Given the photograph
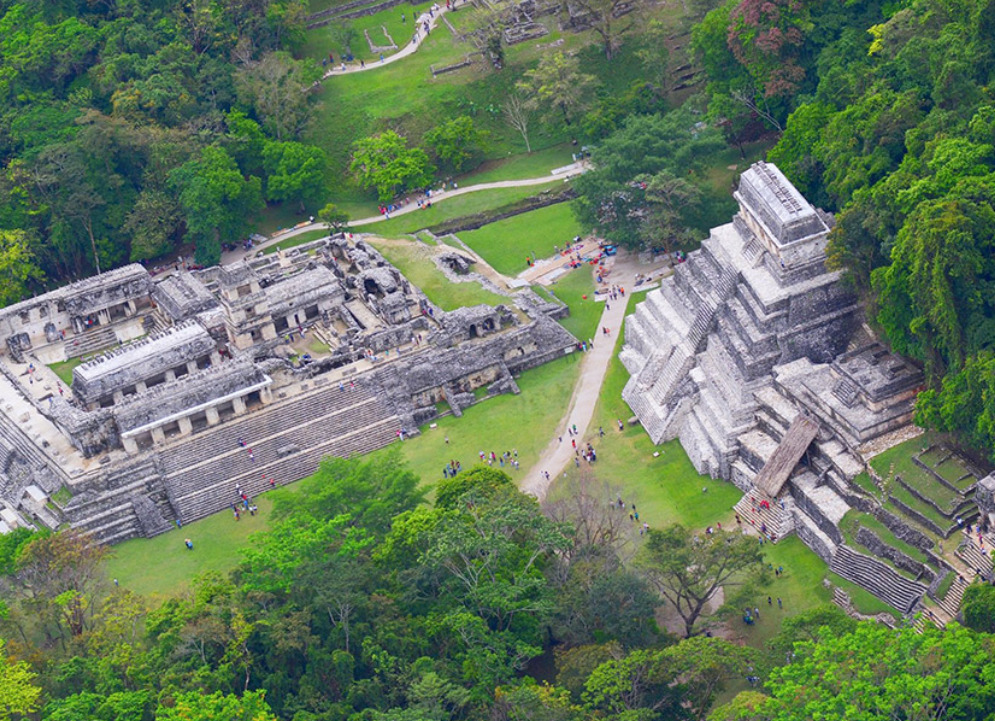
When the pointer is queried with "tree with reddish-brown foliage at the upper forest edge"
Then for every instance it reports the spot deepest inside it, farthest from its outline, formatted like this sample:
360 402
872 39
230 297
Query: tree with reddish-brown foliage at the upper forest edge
767 36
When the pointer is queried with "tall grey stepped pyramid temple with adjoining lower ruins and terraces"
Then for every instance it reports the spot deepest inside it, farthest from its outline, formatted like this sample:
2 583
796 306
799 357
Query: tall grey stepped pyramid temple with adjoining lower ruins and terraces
756 358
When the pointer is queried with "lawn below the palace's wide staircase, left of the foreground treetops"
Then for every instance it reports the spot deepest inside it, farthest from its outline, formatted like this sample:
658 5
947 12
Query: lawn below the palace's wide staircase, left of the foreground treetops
163 566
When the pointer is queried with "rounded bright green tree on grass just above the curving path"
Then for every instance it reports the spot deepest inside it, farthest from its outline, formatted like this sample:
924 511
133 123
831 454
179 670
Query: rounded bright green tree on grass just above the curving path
385 162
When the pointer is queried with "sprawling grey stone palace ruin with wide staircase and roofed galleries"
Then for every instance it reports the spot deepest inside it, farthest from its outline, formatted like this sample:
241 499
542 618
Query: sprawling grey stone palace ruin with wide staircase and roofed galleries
247 373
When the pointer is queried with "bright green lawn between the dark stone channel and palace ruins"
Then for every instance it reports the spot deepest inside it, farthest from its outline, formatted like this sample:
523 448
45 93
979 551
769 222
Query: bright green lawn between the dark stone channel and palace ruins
505 243
